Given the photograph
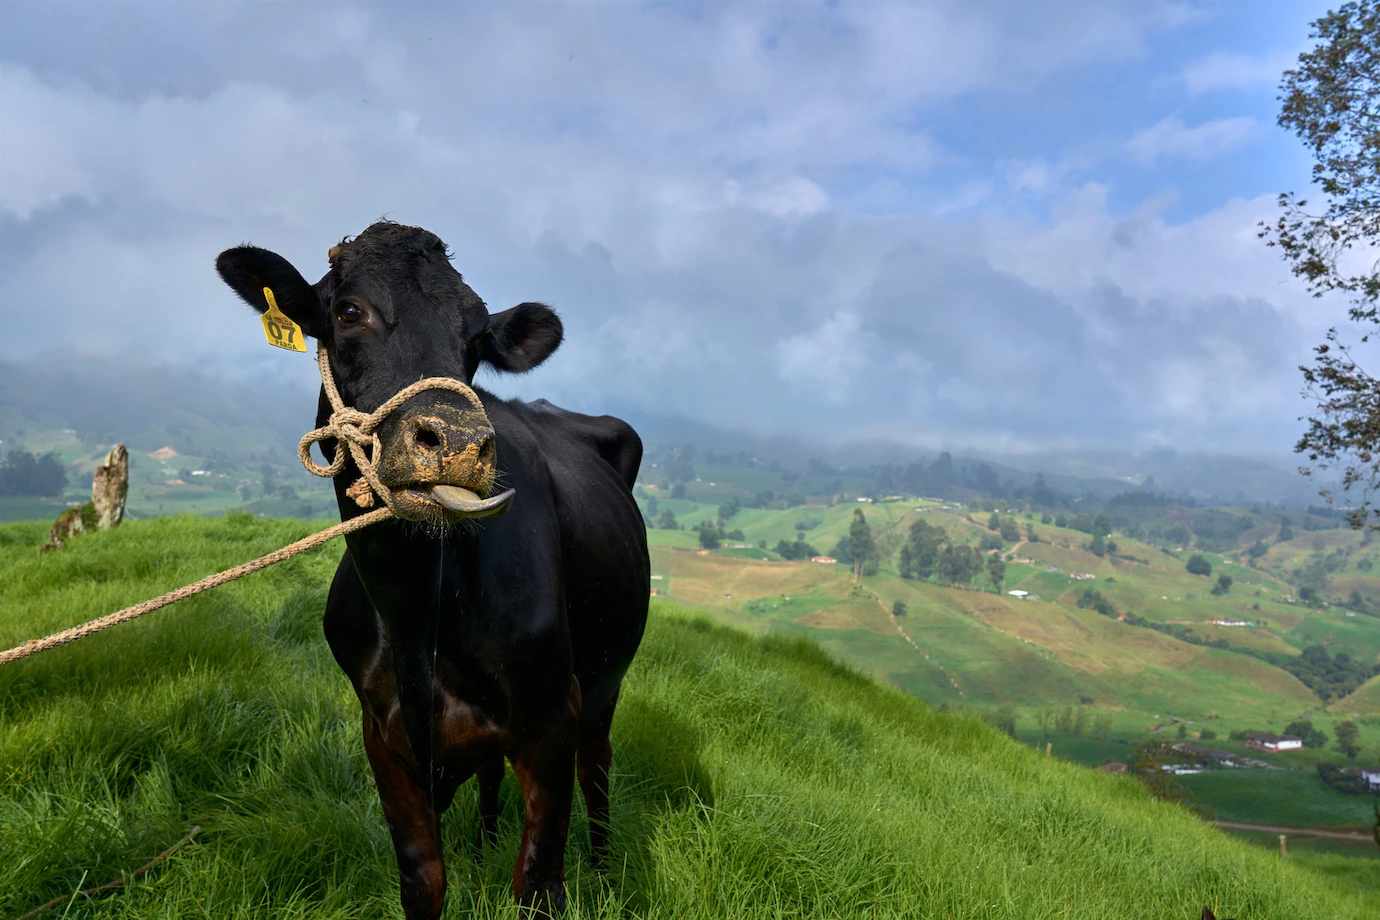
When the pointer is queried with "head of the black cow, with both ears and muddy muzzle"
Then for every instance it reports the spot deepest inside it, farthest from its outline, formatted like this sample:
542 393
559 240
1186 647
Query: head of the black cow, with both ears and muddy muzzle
391 312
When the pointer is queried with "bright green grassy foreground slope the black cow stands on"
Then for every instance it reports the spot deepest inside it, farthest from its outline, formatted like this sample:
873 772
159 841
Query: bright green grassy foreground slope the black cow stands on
754 776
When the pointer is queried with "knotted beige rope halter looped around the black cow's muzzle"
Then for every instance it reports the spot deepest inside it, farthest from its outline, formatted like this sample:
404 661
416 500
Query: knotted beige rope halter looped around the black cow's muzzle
357 431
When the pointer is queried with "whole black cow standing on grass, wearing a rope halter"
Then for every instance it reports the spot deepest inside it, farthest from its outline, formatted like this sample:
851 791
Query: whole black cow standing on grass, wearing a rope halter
470 642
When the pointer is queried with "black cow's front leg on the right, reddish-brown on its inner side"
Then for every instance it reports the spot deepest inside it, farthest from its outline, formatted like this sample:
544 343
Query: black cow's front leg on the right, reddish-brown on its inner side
544 761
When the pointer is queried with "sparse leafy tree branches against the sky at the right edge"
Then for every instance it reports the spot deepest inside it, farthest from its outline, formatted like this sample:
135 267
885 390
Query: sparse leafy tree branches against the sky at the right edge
1332 104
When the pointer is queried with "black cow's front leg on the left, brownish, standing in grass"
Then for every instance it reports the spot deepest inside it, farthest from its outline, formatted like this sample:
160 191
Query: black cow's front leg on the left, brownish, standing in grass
413 826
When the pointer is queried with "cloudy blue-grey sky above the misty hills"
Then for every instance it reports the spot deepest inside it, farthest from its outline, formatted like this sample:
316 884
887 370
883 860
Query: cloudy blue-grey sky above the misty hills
997 224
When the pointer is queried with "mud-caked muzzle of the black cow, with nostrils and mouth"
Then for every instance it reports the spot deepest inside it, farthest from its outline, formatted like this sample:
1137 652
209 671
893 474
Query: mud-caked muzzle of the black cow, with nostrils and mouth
438 453
